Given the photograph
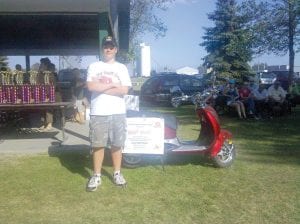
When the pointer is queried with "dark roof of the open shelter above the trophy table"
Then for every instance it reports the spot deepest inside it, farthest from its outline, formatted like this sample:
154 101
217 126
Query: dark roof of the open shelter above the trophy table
55 27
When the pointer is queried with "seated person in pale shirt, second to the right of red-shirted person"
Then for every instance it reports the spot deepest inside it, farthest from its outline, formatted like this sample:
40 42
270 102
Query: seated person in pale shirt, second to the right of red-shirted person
277 98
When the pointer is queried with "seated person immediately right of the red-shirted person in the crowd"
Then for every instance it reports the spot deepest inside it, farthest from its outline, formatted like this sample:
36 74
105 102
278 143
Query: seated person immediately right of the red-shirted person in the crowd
260 96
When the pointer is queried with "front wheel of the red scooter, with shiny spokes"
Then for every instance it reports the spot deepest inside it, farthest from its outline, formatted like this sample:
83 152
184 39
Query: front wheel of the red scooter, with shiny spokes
226 156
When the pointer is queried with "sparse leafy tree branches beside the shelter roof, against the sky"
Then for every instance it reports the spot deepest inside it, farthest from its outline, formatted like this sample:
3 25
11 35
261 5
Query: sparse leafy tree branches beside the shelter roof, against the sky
143 20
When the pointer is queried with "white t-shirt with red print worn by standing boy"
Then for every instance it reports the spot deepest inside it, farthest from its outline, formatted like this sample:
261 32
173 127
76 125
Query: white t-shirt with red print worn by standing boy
101 103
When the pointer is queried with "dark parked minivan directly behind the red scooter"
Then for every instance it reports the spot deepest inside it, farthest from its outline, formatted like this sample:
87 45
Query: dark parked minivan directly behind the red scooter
162 87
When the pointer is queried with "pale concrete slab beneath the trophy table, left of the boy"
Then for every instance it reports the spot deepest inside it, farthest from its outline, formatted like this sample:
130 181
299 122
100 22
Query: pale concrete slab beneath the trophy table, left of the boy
33 141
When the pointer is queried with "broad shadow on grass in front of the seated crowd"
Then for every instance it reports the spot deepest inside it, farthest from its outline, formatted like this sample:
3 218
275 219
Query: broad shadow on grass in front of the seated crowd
269 141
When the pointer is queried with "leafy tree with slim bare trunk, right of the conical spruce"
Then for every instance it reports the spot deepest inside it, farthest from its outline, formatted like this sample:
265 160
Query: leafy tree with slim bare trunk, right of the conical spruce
275 27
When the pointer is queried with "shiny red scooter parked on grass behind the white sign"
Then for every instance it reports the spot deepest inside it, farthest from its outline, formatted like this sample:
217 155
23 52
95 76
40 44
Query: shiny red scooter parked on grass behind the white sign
214 142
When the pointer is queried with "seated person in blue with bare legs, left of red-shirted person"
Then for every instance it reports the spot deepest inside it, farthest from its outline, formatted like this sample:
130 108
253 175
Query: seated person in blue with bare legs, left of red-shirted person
232 95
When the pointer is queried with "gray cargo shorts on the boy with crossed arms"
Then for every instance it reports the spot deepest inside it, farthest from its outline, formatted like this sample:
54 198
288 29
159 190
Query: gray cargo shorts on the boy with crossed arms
108 130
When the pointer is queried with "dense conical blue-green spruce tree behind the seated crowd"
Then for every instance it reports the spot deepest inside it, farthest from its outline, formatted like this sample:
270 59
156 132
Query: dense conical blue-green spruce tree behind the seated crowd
227 43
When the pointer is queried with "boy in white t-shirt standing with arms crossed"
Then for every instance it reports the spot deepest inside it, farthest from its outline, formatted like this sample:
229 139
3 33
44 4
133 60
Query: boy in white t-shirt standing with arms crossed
108 81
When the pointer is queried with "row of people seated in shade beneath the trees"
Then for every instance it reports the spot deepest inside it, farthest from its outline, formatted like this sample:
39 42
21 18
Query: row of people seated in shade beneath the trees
258 101
